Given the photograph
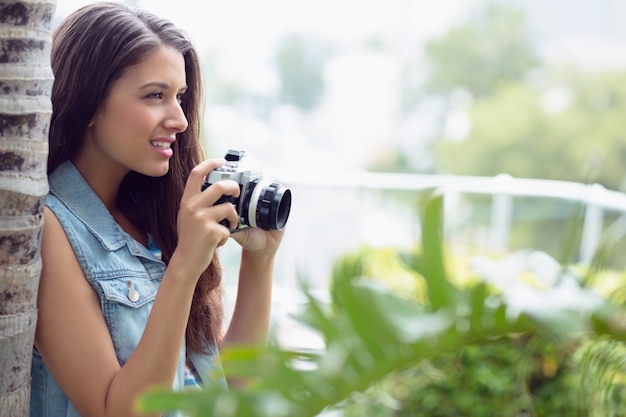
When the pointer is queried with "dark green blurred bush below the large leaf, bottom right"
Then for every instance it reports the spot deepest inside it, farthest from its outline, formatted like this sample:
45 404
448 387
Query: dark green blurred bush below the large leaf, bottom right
504 377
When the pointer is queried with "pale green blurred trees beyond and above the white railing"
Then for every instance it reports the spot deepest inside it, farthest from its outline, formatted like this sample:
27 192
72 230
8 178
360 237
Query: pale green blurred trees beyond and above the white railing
505 110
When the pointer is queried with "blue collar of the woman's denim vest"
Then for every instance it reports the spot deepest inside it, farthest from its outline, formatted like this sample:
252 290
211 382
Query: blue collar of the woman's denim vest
69 186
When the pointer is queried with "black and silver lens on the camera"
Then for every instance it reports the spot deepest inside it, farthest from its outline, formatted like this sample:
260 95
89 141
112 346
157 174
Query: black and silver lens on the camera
267 205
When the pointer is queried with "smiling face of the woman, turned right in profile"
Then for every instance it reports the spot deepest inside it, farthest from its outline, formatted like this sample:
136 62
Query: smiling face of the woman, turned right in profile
137 123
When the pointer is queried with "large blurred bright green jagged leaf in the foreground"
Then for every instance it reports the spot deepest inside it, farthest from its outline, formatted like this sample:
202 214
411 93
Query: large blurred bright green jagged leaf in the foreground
371 332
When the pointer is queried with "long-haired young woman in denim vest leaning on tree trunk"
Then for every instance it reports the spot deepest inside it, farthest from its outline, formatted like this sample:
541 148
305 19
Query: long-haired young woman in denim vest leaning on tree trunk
129 296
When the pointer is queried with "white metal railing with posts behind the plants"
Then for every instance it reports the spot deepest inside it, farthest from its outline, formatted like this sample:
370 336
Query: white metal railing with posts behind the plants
502 189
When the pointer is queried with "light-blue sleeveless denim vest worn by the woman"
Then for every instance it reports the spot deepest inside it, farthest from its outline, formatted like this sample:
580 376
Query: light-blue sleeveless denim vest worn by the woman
124 274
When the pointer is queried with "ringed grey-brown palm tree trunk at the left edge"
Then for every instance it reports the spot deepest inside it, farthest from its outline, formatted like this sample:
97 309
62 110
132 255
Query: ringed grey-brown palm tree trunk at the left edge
25 85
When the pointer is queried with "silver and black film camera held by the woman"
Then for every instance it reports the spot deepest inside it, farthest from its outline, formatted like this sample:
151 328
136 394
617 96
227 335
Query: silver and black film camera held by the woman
261 203
